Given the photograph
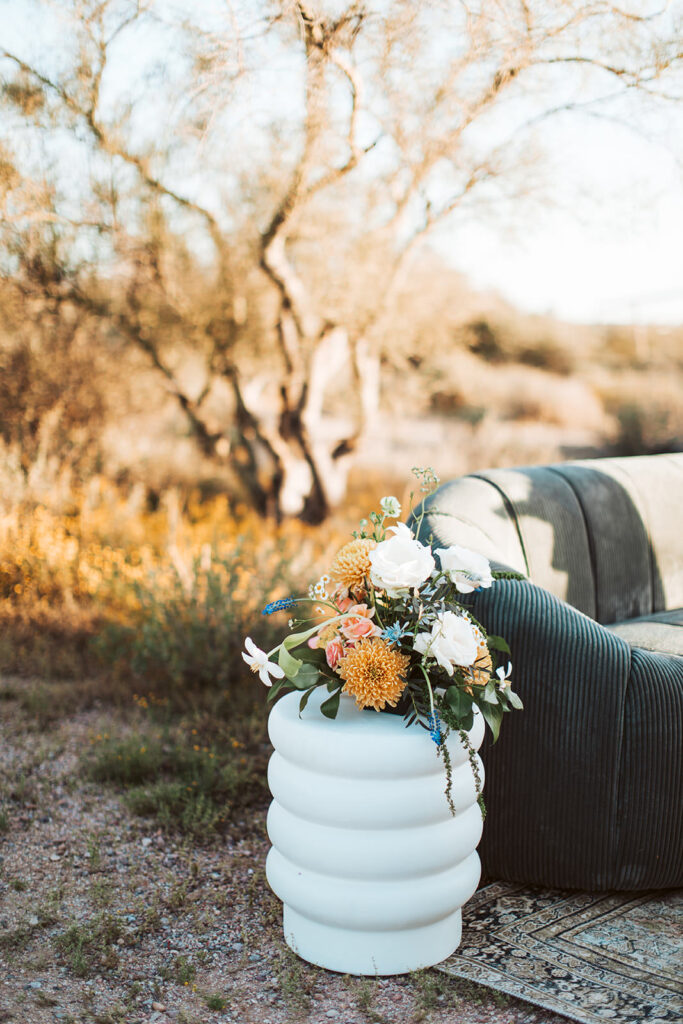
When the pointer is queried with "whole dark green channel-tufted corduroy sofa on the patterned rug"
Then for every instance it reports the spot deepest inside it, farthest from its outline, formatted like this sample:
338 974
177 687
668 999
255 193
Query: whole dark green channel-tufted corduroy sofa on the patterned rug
584 787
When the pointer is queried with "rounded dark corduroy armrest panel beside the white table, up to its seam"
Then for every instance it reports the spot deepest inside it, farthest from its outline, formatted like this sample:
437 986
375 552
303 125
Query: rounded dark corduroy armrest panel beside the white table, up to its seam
552 779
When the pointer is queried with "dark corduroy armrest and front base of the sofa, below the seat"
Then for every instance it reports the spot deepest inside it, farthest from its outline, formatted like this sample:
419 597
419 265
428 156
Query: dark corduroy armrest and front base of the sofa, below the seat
583 787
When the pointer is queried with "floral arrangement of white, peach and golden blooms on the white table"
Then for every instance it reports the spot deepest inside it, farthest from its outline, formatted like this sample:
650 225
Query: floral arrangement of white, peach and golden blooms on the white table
388 626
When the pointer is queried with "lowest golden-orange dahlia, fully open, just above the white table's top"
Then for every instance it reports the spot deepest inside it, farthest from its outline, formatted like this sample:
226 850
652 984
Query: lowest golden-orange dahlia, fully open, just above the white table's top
373 674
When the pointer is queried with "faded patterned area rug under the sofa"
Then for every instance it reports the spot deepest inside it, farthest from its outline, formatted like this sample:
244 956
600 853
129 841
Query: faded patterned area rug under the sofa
593 958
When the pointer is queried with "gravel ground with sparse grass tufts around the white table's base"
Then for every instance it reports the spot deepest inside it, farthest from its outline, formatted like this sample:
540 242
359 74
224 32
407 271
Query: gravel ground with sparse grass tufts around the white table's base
105 919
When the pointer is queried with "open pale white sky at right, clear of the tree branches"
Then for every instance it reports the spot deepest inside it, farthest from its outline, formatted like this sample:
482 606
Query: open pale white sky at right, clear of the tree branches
611 250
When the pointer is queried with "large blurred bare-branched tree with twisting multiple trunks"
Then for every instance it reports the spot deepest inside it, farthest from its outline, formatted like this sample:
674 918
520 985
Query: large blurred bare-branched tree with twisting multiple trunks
269 210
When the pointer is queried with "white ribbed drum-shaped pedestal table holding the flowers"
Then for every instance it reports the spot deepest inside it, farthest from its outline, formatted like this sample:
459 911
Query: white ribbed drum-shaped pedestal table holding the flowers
367 859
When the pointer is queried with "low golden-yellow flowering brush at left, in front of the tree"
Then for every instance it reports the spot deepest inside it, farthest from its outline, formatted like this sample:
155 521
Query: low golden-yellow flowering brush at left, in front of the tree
162 598
